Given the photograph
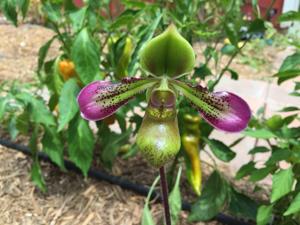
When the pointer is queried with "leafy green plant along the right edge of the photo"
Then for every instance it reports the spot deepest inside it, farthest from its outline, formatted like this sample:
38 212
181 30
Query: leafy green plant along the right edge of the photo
281 133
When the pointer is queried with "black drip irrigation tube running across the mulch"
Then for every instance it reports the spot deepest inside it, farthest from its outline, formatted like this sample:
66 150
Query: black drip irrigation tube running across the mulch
117 180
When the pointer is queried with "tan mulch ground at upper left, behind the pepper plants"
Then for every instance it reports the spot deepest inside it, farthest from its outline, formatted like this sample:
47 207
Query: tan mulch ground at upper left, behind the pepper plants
19 50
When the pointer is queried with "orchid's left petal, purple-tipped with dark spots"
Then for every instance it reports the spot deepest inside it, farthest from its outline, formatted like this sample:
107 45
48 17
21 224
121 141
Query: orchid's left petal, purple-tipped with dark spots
101 99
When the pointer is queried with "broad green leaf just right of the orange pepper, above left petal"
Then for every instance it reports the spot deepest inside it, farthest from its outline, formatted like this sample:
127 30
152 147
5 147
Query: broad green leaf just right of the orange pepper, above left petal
85 54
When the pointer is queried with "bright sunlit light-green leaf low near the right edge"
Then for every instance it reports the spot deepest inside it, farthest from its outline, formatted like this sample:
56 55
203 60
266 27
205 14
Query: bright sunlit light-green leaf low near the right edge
282 184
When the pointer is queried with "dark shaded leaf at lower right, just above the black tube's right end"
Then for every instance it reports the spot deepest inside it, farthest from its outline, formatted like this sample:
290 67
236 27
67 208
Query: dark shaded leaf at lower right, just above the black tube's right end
242 206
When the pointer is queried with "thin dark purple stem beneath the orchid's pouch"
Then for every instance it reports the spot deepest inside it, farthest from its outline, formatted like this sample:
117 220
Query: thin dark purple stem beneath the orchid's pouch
164 189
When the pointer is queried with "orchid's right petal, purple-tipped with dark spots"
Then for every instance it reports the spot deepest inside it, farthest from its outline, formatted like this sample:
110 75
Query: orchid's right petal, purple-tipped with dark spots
223 110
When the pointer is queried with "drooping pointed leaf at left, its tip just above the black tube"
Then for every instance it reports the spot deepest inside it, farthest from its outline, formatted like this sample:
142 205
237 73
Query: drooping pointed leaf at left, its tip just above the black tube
53 146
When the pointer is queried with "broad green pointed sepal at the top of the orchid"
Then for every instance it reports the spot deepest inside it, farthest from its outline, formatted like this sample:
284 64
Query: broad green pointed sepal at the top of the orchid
168 54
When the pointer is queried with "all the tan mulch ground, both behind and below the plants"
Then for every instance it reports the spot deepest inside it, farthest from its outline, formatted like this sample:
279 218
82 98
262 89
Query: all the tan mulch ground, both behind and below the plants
70 199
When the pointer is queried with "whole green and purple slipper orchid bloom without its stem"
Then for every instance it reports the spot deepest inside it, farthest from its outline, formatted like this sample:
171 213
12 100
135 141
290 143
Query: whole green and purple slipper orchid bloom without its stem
166 58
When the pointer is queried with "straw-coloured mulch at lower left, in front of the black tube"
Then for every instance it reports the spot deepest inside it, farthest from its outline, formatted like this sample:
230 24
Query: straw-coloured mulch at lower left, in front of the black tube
70 198
